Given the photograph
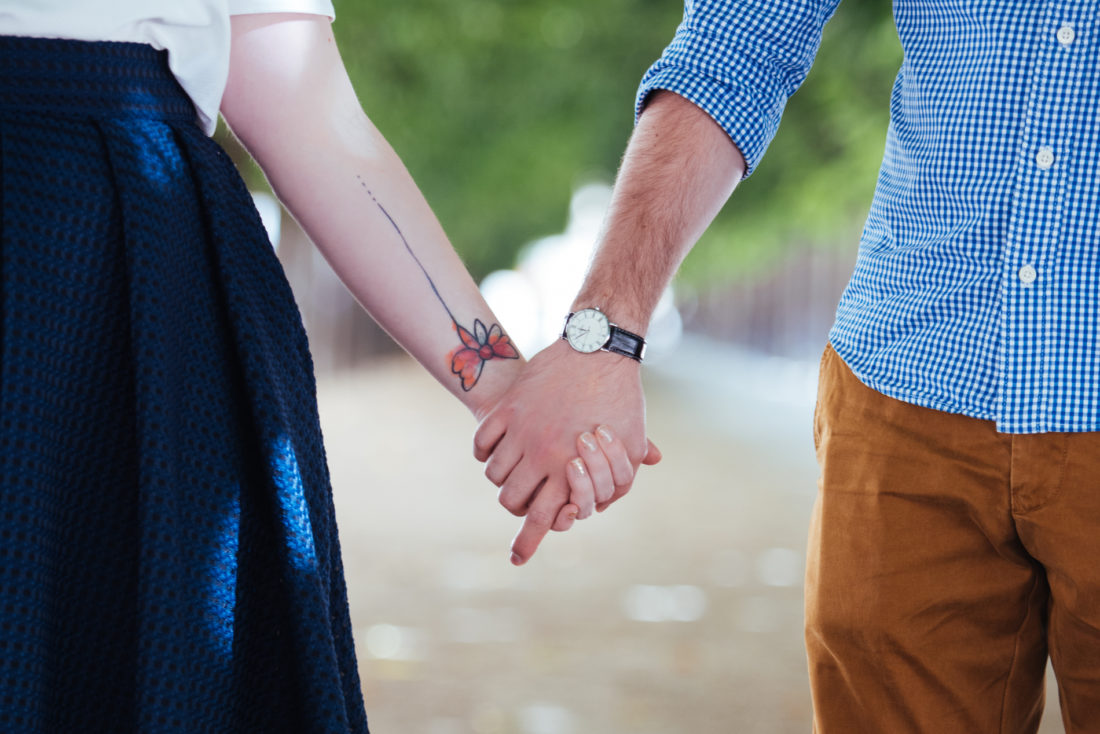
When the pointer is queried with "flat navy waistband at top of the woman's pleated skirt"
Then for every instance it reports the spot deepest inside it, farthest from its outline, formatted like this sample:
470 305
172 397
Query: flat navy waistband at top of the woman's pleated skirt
90 80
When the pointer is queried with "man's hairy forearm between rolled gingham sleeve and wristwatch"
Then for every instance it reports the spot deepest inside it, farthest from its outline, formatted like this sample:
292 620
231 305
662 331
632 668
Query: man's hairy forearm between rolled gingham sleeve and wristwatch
678 171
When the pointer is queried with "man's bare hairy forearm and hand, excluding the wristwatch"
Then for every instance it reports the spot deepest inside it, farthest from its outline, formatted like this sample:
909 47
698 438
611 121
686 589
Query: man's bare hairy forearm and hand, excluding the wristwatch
678 171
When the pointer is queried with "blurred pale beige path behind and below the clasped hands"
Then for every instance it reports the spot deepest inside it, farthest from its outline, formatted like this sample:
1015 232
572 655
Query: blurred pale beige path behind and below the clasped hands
677 611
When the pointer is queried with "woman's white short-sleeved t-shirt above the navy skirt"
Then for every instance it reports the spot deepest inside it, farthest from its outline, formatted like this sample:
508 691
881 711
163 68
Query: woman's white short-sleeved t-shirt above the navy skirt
194 32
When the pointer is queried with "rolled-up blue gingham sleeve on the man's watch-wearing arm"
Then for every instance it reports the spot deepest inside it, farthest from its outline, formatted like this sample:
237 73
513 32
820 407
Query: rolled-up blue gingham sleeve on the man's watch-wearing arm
740 61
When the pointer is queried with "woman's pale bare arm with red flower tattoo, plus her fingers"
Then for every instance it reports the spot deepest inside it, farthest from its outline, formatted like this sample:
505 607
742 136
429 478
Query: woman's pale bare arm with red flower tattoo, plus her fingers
290 102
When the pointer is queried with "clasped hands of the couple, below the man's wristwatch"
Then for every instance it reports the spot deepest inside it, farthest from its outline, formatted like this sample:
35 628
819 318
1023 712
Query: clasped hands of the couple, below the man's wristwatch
554 413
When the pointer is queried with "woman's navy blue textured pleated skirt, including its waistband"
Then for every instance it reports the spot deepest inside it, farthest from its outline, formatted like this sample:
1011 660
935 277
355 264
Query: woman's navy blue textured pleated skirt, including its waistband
169 556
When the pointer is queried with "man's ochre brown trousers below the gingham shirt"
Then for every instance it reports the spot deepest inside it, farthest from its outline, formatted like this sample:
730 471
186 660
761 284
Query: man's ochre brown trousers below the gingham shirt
947 562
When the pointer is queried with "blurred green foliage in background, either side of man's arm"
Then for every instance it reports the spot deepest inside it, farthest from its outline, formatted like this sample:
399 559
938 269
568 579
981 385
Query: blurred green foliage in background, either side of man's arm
500 108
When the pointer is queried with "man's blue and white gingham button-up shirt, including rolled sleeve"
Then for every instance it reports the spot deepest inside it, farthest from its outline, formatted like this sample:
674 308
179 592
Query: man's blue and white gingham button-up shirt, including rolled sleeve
977 287
